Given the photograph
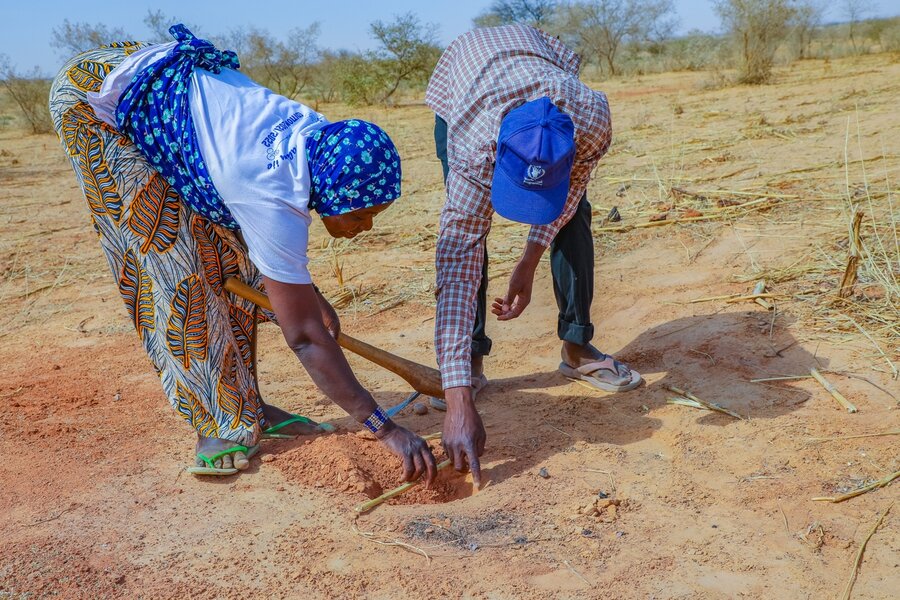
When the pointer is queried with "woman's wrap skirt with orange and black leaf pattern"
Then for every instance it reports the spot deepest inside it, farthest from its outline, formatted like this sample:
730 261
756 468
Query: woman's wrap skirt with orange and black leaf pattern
169 263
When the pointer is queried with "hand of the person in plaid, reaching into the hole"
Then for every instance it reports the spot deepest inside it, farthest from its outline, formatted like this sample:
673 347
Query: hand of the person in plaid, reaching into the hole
463 437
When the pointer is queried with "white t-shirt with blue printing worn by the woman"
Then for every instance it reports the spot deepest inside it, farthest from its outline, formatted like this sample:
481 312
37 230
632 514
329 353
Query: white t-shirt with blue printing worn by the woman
253 142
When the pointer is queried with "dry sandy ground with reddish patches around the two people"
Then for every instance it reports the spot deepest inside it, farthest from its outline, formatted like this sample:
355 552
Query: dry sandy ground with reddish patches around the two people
94 501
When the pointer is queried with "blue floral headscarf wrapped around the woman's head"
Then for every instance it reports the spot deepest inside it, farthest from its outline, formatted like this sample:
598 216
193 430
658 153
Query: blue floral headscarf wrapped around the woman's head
352 164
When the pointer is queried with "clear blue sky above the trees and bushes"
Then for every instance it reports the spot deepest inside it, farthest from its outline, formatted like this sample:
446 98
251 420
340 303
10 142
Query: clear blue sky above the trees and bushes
27 24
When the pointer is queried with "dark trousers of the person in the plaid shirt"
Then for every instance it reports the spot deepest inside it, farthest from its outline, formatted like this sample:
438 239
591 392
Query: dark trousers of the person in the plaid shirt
571 264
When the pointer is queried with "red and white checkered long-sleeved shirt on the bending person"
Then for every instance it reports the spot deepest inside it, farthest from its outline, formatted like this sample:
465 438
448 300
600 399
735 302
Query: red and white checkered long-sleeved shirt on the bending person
481 76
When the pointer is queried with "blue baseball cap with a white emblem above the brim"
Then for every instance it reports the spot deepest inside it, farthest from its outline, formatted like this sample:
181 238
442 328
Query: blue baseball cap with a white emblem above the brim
535 151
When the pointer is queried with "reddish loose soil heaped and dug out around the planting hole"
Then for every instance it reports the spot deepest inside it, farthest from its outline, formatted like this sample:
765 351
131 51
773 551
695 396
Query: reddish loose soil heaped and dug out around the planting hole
357 465
